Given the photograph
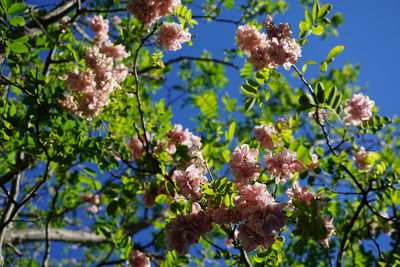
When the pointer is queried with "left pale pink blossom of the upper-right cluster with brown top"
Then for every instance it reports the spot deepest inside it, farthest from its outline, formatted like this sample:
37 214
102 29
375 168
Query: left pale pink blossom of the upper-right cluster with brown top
249 38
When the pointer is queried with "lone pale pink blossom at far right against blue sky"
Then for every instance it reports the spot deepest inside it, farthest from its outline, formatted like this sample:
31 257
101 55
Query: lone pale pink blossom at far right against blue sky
358 109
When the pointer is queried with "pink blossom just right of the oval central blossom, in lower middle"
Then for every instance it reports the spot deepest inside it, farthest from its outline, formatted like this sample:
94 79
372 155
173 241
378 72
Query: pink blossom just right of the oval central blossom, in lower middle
282 165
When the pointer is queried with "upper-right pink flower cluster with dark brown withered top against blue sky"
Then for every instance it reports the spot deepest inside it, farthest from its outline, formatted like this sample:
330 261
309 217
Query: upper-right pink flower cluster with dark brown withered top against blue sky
279 49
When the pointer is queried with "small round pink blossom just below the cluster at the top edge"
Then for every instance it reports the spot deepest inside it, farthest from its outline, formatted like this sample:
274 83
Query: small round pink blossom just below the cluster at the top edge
172 35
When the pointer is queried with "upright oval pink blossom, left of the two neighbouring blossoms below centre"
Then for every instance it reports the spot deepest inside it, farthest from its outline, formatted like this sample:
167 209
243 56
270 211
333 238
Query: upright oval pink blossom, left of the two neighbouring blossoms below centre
244 164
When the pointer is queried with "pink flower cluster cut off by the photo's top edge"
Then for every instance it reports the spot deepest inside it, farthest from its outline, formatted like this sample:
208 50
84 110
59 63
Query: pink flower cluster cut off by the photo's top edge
148 11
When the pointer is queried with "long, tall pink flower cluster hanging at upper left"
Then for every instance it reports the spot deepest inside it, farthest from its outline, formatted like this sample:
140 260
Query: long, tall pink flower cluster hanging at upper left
92 87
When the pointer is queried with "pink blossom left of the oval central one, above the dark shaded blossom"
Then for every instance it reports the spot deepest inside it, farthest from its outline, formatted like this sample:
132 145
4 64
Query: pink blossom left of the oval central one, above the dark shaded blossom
190 181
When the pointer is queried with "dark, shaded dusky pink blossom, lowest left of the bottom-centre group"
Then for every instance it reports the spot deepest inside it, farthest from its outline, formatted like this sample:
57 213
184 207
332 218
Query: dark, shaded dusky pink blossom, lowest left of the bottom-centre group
185 230
